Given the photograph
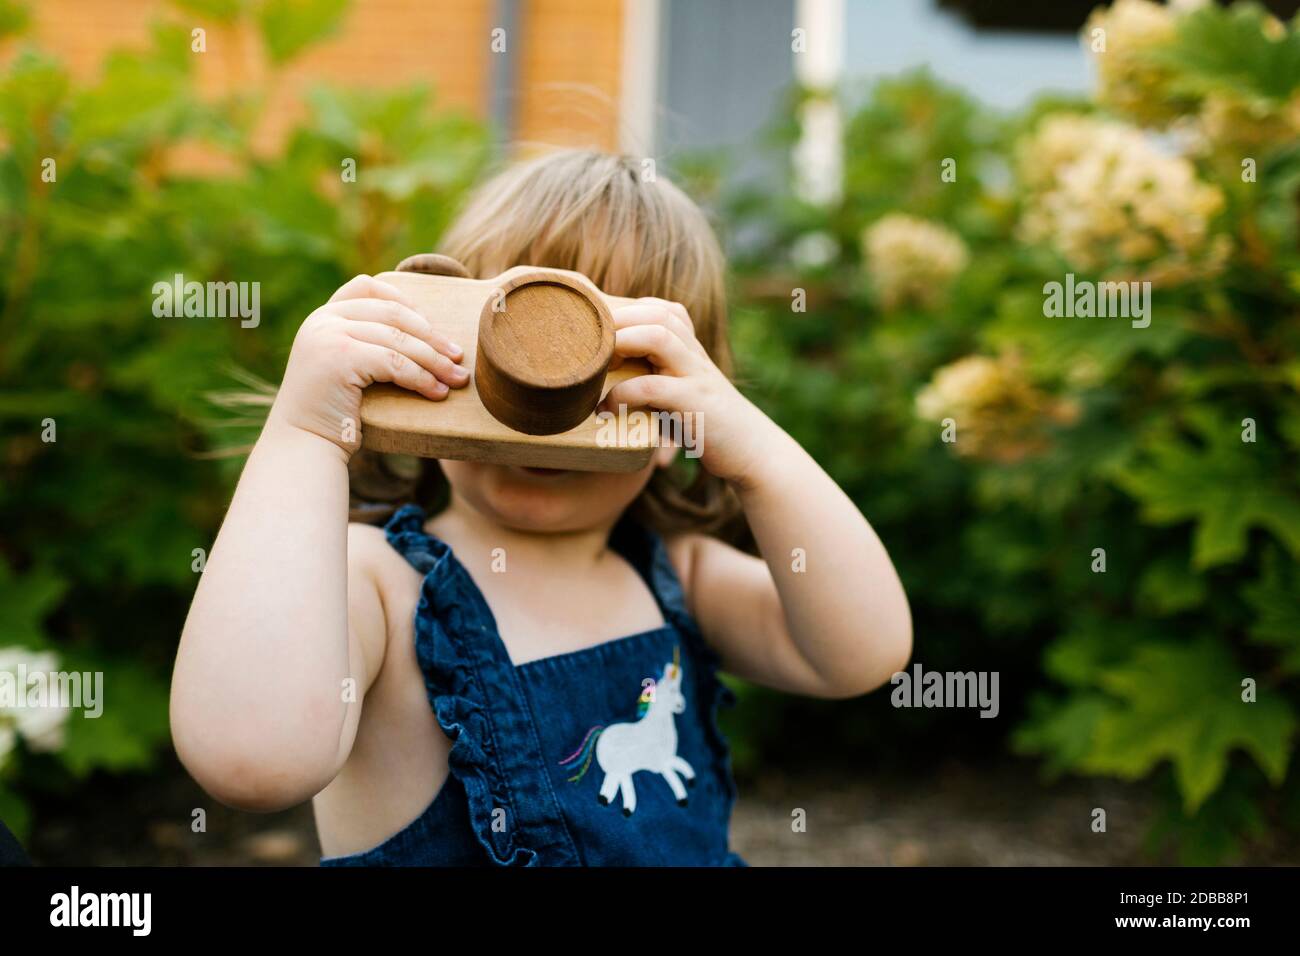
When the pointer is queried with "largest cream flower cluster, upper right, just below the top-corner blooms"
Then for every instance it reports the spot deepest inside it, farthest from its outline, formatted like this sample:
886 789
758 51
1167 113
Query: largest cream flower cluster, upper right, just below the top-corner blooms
1108 201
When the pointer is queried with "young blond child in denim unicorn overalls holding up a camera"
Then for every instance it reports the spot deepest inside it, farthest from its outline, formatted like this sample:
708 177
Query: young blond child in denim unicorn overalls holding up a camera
528 676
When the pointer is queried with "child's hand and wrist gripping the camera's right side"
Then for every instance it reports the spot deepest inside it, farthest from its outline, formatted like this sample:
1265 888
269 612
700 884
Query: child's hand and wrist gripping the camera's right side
735 436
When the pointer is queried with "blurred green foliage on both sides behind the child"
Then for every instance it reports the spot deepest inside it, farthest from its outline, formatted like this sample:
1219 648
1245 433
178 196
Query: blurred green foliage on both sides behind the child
922 301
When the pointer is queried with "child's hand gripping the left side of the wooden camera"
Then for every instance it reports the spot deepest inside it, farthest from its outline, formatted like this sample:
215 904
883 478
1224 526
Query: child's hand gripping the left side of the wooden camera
367 332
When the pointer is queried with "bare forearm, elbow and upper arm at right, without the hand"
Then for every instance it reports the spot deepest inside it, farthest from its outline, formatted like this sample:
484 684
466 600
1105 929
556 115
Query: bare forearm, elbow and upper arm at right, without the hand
824 612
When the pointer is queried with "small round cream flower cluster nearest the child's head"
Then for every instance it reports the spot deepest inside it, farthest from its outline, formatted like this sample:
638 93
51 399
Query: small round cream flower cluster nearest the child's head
913 261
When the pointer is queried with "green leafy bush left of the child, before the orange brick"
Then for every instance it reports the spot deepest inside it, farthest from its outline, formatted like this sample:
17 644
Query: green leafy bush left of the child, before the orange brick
102 525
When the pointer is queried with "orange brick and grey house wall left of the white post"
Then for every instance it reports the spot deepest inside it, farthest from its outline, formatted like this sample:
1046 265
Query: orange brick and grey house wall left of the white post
710 70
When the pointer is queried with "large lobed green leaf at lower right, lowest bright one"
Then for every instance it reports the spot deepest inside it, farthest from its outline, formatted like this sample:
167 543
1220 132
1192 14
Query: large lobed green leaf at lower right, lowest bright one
1184 704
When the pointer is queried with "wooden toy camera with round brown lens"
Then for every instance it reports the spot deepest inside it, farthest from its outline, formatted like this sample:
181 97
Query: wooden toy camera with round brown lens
539 345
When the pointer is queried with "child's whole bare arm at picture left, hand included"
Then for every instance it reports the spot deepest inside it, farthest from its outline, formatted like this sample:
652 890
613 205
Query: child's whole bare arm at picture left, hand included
280 622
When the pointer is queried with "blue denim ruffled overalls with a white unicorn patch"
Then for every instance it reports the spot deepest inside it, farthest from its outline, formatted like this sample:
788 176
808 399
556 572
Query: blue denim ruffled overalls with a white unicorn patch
608 756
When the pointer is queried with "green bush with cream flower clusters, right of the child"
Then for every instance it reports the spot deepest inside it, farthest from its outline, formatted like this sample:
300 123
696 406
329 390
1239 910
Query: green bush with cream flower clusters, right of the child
1175 448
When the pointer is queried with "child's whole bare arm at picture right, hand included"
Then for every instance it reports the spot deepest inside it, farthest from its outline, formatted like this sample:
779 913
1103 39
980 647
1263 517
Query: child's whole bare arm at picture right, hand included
839 628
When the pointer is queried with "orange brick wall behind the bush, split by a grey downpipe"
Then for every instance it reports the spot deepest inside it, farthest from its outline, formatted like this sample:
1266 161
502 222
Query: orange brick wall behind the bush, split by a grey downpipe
567 75
